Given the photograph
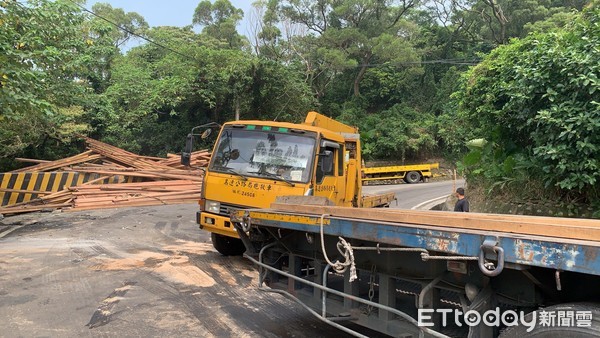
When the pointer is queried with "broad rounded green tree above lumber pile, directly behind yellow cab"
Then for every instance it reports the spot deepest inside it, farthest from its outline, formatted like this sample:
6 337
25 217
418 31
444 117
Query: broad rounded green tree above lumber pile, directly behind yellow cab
157 92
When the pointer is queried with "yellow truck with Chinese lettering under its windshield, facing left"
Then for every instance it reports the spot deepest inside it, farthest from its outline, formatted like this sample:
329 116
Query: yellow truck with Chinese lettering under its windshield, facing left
255 162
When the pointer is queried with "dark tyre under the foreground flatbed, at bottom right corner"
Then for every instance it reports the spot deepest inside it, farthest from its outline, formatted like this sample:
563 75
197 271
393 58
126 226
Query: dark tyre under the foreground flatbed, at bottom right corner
575 330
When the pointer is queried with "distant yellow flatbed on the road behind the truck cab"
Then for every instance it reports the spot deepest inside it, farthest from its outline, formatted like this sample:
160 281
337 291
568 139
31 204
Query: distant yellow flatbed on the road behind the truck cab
408 173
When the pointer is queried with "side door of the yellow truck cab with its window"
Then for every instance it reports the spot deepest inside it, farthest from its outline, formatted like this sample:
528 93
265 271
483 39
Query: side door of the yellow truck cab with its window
330 181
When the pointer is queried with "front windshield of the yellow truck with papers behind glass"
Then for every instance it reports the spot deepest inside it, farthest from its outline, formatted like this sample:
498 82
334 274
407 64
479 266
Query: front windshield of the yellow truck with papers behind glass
265 153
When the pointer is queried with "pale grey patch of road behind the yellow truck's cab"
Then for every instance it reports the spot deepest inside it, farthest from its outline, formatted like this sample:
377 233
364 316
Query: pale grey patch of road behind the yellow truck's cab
411 195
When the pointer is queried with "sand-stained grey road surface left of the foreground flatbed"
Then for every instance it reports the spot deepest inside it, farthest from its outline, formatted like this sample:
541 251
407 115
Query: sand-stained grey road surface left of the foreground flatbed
135 272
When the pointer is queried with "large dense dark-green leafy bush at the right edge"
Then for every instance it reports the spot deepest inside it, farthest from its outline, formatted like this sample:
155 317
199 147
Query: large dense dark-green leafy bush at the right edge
537 103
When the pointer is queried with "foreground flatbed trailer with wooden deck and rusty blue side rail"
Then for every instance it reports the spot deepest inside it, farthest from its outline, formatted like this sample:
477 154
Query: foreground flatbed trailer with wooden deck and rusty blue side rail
407 273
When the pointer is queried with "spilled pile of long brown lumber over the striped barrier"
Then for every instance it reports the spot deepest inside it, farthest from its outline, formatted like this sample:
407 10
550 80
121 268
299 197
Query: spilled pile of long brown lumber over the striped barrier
114 178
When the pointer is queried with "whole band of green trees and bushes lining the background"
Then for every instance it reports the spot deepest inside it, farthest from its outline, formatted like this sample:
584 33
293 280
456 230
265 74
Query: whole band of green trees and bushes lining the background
420 78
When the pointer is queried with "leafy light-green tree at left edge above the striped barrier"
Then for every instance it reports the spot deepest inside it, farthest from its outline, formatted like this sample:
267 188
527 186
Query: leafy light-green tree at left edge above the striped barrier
42 54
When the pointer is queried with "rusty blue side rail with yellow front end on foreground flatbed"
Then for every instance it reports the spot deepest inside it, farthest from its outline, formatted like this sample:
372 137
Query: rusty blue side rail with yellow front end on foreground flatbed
576 256
